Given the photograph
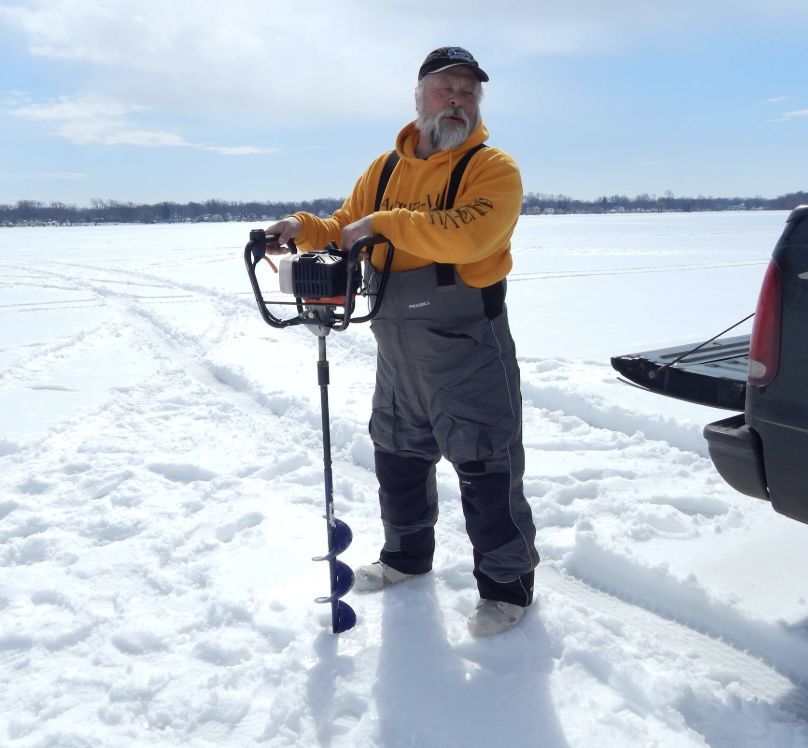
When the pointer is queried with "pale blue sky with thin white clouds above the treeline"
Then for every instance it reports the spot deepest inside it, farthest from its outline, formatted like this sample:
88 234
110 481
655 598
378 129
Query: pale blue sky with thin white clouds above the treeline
151 100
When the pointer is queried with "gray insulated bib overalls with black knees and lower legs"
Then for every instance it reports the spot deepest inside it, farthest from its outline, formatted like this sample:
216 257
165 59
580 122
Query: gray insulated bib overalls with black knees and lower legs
447 385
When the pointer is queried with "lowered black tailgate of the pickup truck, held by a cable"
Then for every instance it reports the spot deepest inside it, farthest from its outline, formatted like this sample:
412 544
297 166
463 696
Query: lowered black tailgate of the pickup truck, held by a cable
714 375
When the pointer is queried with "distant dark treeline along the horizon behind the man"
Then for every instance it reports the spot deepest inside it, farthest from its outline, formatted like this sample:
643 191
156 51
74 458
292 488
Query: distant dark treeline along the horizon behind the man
33 212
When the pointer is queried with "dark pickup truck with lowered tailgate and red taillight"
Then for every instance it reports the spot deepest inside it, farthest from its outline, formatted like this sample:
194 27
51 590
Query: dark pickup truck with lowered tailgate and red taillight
762 450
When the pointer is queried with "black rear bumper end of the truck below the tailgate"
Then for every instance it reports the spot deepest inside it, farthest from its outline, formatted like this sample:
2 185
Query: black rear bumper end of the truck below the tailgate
737 454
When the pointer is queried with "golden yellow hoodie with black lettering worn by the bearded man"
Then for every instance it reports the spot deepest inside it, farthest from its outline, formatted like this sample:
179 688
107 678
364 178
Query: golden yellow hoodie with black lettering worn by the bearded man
474 235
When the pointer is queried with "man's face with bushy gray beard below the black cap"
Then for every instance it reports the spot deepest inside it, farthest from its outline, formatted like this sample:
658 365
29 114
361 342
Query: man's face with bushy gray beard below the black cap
448 107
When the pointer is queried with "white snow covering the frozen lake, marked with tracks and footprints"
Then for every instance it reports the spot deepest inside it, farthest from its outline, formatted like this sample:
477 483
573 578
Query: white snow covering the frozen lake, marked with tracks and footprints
161 498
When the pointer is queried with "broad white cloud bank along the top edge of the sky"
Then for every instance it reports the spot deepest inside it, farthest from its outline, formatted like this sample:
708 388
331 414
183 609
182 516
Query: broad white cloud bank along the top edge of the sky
303 58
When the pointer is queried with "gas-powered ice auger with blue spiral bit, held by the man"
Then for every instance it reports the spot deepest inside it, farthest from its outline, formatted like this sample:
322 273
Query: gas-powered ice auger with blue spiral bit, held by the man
325 286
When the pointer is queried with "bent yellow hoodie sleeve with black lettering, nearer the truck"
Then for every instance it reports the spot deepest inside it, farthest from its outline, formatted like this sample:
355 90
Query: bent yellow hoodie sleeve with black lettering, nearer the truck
480 225
